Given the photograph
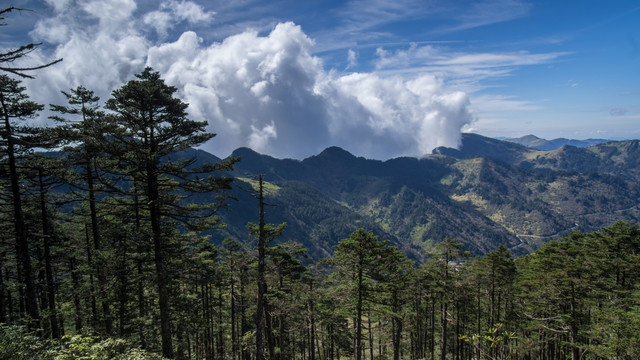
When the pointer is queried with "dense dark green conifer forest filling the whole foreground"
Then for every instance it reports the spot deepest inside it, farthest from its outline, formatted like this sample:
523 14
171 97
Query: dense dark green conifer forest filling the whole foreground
102 256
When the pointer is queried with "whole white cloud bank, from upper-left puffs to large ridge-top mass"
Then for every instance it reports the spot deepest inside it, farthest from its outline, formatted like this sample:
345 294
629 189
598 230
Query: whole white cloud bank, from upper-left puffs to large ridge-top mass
267 92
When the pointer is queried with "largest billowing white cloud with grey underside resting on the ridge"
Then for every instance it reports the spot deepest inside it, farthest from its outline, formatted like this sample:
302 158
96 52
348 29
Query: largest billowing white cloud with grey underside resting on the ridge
279 100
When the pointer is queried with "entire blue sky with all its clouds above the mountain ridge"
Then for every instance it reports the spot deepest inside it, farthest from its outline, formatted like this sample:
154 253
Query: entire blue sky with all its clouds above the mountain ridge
378 78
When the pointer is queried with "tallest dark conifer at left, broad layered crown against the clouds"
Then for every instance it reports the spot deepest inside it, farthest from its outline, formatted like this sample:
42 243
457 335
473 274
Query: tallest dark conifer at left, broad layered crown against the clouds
148 129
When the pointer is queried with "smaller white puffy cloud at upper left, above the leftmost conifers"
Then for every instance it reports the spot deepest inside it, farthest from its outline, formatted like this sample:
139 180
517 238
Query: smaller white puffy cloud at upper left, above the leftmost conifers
100 52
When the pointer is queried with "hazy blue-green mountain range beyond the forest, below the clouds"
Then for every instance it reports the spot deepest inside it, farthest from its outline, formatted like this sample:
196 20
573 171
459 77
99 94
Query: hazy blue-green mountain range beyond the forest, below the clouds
488 192
